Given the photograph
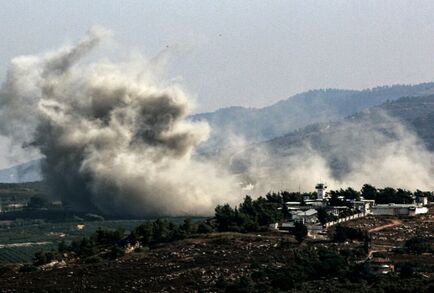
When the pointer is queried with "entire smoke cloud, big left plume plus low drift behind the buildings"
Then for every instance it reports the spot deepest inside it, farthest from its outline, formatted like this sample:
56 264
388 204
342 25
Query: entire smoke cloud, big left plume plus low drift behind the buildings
116 140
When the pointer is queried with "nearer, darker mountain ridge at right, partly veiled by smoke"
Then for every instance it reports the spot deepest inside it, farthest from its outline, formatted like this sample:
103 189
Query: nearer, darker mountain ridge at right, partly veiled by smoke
341 142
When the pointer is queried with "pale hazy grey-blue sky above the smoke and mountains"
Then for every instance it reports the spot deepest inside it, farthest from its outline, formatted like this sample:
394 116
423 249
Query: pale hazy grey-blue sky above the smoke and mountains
249 53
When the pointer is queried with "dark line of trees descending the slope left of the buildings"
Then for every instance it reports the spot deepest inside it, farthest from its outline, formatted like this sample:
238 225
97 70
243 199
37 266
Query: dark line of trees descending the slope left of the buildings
250 216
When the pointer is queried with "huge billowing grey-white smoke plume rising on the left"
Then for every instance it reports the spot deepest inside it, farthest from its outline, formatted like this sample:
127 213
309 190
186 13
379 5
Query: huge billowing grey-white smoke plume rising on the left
113 139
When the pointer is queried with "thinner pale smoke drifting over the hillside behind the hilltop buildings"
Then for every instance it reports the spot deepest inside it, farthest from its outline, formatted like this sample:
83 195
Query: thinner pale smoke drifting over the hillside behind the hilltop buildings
379 151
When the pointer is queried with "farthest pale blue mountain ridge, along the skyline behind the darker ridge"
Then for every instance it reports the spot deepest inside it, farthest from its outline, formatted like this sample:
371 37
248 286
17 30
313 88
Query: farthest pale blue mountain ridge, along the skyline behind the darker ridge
298 111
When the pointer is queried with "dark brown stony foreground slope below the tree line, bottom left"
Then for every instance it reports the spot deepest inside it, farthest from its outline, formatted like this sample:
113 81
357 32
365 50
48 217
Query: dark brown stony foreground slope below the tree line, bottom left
191 264
